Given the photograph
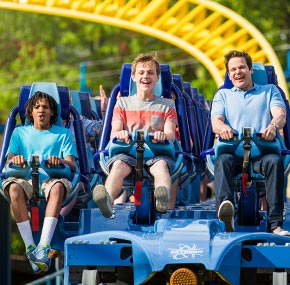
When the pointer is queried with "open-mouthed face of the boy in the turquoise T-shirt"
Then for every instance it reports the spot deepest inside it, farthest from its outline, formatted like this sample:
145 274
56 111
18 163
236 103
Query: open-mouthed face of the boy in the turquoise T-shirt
42 113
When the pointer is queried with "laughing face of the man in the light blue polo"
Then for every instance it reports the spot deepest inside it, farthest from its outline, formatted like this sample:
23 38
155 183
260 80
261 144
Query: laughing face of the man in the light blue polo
239 73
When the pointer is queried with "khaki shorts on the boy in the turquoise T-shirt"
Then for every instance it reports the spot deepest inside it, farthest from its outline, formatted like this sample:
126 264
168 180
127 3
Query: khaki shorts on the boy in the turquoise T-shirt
46 186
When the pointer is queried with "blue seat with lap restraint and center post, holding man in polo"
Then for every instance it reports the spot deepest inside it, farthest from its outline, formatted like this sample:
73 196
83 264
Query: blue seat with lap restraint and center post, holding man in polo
248 144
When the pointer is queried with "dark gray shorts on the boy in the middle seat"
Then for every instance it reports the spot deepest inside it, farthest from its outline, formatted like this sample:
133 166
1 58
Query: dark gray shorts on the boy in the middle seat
131 160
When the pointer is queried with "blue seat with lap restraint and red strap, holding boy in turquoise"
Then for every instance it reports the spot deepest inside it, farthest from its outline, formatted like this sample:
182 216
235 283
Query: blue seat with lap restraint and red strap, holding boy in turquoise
38 171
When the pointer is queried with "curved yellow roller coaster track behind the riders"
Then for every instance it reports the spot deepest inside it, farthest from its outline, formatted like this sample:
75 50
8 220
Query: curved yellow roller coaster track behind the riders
204 29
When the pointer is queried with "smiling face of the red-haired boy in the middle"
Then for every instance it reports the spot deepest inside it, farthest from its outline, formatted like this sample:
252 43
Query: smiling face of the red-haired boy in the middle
145 77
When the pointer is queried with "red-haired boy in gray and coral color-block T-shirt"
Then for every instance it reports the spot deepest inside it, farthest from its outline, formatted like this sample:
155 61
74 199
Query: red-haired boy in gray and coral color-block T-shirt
141 111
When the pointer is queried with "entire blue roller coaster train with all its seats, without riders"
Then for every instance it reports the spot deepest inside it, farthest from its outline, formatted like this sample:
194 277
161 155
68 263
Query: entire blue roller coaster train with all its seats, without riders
187 245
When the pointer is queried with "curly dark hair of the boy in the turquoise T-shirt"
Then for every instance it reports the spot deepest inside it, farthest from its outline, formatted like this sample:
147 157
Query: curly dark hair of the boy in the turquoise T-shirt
32 102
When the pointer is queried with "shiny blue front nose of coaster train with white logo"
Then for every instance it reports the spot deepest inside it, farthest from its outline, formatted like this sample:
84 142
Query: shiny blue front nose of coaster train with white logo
189 247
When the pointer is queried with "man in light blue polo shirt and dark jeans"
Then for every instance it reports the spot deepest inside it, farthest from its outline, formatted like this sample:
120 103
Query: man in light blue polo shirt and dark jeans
248 105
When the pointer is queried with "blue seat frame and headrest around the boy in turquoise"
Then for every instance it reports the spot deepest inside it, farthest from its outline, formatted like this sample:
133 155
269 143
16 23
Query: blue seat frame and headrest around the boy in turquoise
61 95
